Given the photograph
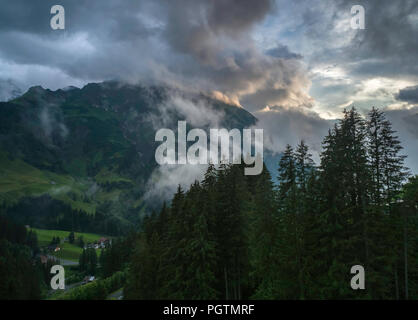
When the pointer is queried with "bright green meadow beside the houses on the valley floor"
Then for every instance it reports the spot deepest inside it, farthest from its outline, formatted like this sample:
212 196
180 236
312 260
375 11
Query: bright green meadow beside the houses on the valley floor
68 251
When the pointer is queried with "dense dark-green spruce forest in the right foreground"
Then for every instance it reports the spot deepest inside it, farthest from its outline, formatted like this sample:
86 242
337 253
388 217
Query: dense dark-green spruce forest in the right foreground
233 236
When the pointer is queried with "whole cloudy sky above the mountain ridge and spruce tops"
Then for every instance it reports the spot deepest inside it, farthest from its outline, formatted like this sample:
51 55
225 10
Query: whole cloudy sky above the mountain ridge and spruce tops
294 64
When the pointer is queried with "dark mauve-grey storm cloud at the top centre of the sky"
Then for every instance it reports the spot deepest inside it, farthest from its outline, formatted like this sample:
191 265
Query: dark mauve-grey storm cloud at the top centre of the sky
195 26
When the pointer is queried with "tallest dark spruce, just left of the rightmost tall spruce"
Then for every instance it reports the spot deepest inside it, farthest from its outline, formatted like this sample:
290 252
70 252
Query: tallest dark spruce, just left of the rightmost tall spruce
344 175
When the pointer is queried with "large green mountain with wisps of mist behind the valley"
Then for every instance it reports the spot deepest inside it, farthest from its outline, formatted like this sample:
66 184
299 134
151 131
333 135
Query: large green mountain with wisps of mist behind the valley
81 158
